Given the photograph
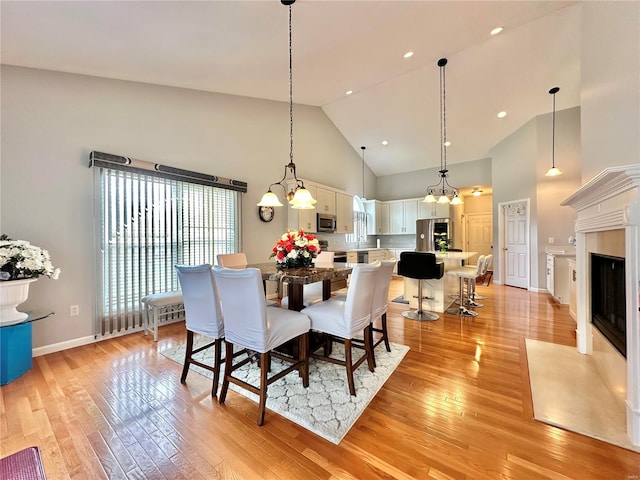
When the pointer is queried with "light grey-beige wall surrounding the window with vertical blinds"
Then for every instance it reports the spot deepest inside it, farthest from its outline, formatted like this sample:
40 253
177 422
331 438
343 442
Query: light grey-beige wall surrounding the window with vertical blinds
51 121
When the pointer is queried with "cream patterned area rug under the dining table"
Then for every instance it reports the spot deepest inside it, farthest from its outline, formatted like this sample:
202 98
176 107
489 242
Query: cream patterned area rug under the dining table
325 407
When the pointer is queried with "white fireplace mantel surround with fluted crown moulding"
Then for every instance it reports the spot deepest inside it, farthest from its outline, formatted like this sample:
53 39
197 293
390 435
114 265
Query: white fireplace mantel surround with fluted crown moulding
611 201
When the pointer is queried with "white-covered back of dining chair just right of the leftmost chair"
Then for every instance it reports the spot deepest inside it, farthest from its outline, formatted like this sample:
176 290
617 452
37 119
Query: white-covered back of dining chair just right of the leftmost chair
243 305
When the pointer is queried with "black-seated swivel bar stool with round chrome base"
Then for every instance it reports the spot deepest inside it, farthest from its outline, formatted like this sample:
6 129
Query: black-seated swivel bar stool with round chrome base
420 266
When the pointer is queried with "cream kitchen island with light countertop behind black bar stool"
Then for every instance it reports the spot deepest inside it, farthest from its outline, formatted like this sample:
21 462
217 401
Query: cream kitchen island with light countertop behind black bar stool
438 293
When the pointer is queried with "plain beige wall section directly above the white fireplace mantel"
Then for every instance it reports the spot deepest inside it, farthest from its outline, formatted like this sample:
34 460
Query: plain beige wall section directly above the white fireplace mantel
610 78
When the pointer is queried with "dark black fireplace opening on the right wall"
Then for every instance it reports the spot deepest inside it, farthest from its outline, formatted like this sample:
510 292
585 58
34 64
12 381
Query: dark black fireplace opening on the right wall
608 305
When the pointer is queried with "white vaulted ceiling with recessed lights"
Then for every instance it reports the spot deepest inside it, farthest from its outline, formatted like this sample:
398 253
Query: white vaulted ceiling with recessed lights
241 47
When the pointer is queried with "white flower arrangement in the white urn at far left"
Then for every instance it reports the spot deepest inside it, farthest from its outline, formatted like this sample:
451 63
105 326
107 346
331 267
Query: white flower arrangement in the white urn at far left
19 260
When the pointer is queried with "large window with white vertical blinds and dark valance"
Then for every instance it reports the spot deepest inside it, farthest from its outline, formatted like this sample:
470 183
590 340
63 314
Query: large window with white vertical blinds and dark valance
149 218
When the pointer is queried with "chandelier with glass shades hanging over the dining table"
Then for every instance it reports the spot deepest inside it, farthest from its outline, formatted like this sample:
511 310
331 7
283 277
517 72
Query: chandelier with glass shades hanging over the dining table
298 196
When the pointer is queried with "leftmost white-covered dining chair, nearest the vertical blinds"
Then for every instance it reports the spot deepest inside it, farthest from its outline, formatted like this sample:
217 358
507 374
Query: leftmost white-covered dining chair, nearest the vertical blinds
203 316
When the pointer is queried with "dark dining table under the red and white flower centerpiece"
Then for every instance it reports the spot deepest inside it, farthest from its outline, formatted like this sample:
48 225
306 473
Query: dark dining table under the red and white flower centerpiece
297 278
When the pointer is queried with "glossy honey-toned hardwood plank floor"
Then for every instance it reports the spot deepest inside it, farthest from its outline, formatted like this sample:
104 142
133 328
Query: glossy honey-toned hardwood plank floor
457 407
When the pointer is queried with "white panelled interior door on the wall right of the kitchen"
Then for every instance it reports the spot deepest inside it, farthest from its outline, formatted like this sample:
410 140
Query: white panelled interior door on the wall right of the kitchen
516 244
